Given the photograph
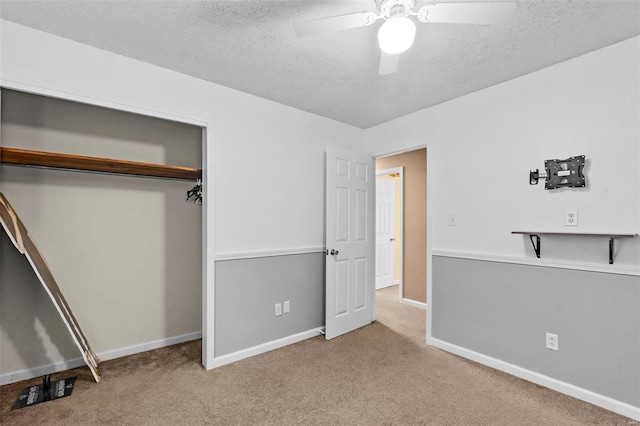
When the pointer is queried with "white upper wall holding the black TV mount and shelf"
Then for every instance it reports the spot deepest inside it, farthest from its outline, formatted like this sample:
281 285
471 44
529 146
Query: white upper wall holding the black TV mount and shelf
482 147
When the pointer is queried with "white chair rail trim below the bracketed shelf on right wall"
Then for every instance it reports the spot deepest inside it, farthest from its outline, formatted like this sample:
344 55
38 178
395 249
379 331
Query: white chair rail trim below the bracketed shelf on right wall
580 266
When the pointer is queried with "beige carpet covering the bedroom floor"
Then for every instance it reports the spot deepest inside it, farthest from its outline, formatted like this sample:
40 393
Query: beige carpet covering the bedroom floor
382 374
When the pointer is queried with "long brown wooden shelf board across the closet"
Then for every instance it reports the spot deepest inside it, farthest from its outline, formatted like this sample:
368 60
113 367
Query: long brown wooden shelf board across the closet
24 157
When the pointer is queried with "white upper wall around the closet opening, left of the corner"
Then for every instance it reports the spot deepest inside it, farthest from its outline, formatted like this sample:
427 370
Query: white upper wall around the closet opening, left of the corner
268 166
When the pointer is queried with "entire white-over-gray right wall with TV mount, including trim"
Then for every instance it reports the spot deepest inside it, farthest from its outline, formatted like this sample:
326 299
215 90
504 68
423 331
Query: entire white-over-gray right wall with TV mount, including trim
490 298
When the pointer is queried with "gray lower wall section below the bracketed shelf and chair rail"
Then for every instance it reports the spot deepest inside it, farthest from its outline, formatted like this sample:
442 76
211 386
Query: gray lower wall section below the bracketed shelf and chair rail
504 310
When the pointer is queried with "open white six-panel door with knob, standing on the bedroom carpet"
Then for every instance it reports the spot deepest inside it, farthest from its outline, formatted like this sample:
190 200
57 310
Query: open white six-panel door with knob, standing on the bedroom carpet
350 242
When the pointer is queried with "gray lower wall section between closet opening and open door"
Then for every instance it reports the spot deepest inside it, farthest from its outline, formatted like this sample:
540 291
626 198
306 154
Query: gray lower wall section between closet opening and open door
248 289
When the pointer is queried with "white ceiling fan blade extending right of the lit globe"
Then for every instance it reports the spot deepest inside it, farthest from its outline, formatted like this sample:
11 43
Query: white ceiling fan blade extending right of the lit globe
467 13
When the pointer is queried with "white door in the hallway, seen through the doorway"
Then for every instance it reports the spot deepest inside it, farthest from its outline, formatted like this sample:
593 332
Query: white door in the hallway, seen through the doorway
385 231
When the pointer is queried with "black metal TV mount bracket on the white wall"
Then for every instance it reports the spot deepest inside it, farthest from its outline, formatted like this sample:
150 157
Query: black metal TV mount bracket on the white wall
561 173
